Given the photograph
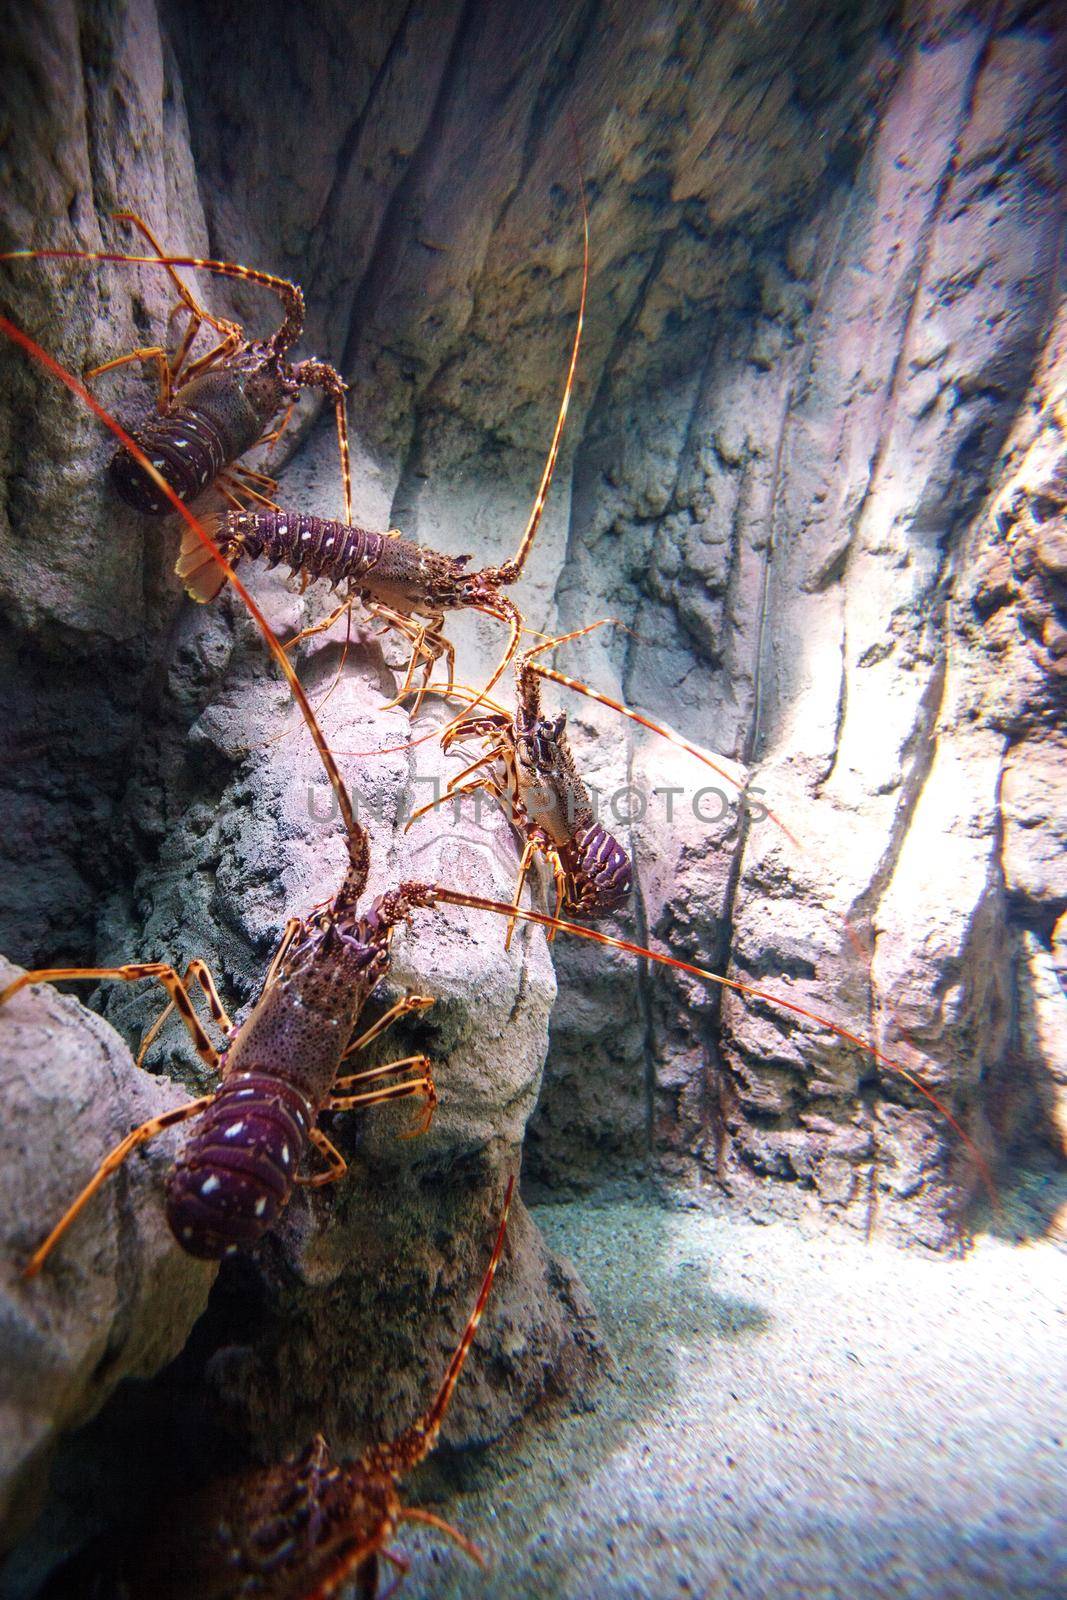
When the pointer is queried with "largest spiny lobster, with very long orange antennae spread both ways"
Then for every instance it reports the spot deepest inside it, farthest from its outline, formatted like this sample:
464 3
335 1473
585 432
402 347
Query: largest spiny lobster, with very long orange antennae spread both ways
359 942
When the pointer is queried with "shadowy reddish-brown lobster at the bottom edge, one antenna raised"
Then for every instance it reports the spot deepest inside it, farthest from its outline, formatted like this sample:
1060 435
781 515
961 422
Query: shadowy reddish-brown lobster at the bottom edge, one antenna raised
303 1529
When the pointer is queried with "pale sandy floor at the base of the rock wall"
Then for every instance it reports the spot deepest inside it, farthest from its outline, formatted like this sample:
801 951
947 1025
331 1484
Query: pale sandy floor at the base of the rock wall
791 1417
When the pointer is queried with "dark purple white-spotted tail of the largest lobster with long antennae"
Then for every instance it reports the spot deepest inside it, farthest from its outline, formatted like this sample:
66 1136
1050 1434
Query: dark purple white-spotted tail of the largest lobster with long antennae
238 1170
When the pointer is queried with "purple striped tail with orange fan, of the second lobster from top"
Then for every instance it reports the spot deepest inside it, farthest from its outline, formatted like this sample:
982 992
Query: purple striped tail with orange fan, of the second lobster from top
311 546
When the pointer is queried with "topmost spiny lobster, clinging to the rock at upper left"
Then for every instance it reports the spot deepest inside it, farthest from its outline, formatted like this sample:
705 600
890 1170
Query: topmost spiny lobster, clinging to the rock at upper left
215 409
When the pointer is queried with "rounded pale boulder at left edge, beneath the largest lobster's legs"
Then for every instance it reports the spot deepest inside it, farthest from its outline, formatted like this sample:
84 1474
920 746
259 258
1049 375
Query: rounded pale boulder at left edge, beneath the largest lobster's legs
118 1298
